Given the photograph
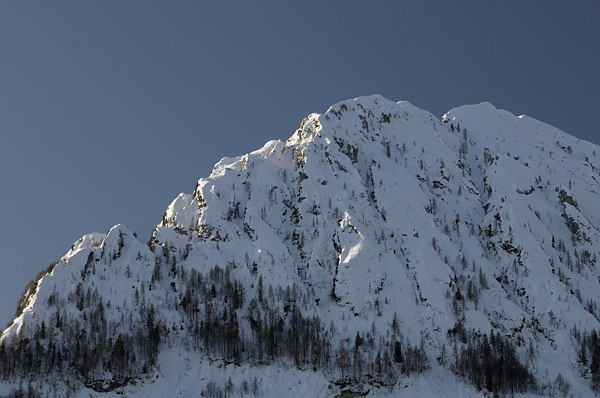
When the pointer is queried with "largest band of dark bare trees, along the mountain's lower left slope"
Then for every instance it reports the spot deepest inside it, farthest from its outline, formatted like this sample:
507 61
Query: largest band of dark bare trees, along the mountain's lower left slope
275 325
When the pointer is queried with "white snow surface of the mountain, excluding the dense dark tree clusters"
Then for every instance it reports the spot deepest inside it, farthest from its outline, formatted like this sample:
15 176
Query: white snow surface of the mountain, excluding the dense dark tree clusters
388 208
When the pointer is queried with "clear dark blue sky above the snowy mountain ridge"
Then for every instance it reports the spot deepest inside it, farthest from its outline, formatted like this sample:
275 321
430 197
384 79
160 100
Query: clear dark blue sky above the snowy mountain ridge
109 109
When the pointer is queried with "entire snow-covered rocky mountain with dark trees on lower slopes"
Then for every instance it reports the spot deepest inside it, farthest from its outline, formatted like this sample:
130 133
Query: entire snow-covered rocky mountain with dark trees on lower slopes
379 251
